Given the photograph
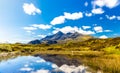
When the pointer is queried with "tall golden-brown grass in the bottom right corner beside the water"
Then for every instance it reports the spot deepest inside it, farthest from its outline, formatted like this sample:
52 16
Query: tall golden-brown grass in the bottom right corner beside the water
105 64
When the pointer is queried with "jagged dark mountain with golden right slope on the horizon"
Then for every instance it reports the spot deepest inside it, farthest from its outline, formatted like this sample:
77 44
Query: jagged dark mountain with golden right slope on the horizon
61 37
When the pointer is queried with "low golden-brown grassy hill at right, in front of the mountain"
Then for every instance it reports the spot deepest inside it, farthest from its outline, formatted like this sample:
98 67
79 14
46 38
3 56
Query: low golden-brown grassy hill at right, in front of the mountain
97 44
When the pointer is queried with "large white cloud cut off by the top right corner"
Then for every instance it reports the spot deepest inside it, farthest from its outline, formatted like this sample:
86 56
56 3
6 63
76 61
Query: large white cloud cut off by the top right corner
107 3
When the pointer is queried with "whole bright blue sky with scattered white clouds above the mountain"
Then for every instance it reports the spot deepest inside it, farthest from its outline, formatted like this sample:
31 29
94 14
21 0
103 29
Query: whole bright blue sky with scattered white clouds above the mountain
25 20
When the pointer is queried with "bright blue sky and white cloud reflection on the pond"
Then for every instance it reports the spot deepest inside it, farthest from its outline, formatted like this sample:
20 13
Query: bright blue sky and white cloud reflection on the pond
31 64
